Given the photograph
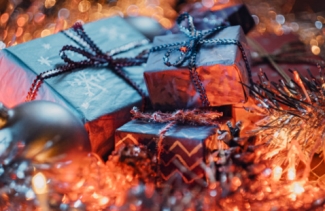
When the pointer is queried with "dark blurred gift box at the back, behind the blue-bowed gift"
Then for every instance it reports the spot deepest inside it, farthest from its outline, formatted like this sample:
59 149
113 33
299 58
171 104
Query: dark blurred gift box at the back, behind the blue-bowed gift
205 18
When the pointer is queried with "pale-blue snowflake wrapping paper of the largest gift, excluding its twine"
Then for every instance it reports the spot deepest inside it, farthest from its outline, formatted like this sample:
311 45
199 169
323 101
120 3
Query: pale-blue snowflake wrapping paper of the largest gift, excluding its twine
100 98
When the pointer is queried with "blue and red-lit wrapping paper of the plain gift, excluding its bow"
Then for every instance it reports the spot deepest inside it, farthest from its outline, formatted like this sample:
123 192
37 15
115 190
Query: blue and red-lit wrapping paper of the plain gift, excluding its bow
220 67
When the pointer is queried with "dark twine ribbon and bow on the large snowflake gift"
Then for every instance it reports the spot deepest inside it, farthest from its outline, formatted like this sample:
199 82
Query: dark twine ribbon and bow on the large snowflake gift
94 57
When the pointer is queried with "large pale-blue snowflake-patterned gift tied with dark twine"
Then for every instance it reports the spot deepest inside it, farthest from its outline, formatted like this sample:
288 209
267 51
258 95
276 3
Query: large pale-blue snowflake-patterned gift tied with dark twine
96 89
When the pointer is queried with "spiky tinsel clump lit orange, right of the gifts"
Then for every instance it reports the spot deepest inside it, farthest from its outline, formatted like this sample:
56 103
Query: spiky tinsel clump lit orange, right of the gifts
293 126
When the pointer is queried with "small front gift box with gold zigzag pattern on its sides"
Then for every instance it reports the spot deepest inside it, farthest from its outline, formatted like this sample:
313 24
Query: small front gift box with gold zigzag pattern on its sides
188 144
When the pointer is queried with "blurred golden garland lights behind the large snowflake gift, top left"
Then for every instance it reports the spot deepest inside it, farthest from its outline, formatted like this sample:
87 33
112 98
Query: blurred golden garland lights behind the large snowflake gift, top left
21 21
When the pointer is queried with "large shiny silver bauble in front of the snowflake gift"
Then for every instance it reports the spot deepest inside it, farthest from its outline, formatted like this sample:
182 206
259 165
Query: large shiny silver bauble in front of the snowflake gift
43 131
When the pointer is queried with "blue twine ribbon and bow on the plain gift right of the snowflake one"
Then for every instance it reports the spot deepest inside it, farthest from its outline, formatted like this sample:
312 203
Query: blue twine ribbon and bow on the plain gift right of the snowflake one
188 50
